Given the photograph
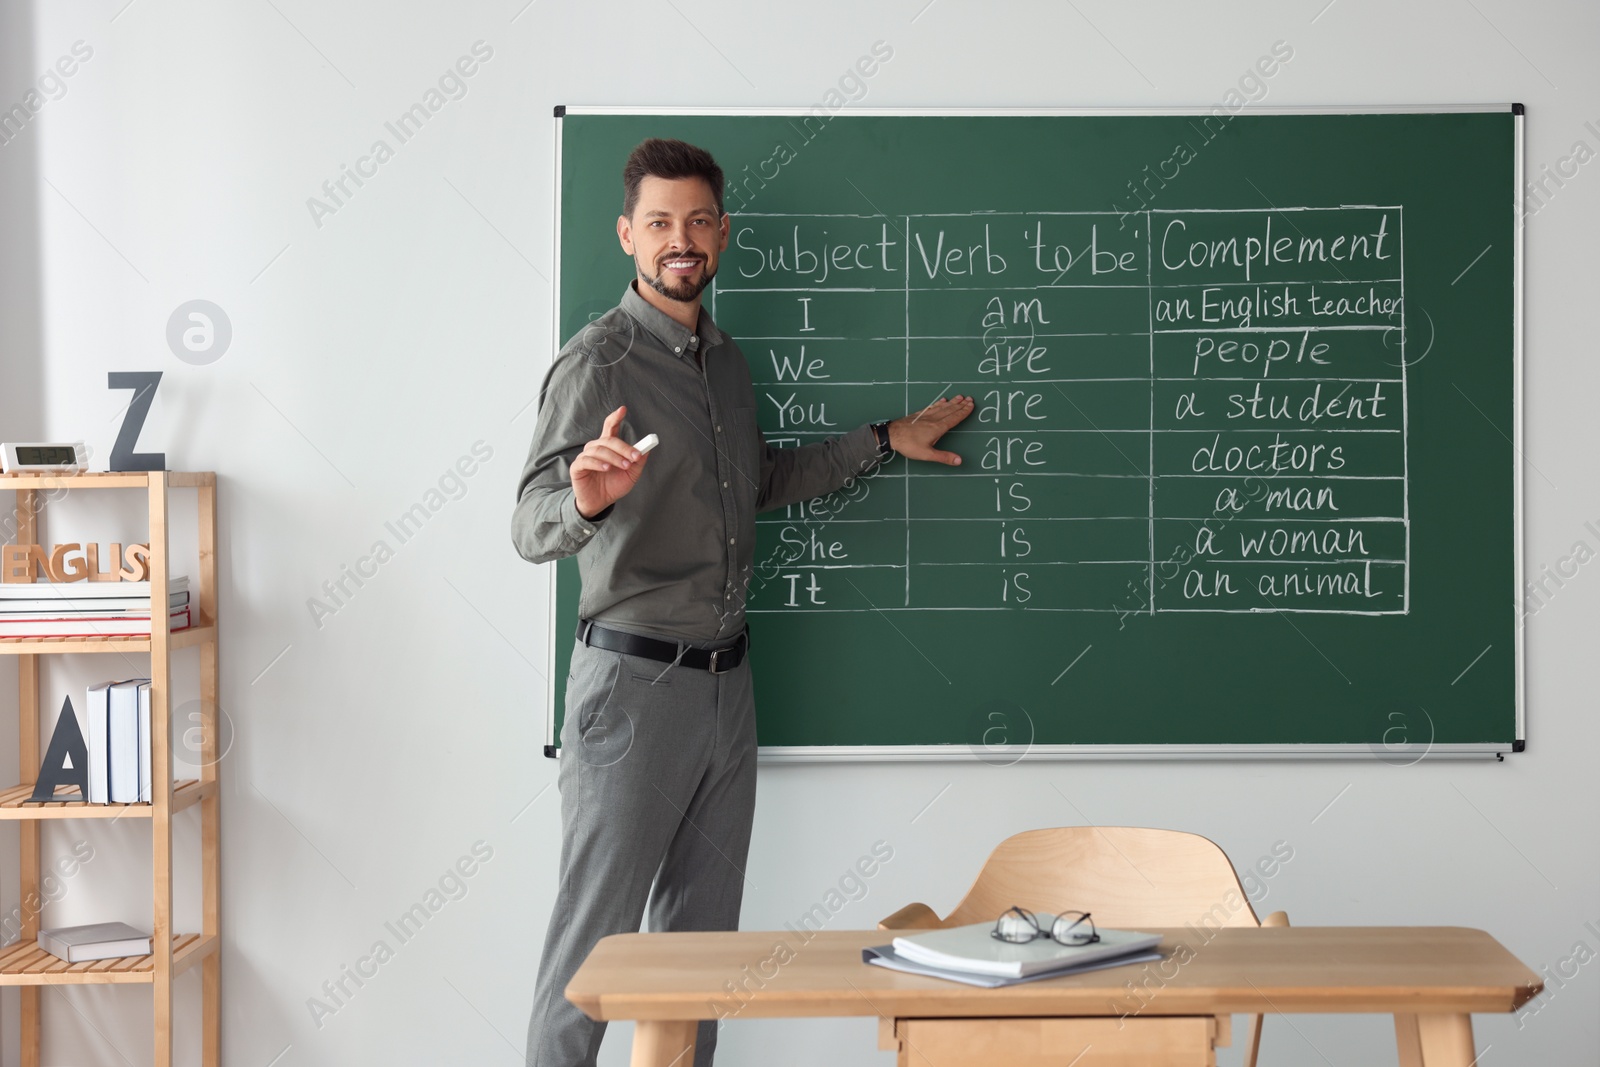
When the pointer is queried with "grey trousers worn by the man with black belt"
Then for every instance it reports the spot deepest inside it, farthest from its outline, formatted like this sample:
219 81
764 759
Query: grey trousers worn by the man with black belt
658 786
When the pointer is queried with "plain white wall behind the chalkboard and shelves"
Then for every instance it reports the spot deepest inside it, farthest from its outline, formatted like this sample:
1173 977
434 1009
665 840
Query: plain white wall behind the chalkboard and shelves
374 351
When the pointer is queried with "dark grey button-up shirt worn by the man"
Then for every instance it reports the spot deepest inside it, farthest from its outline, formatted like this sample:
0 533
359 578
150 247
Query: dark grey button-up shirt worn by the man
676 556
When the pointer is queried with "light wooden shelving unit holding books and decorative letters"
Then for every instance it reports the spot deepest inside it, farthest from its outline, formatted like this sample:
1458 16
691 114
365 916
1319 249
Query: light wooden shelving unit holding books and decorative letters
25 964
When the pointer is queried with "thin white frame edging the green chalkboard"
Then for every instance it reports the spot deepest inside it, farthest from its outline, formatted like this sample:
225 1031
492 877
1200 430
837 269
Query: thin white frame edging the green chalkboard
1014 754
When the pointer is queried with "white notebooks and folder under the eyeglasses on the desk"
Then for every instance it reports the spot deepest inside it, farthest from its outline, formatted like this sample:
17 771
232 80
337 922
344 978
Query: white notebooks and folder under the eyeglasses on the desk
972 956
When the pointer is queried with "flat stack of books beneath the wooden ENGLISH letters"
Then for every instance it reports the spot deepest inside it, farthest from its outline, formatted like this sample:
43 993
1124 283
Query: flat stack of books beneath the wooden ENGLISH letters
87 609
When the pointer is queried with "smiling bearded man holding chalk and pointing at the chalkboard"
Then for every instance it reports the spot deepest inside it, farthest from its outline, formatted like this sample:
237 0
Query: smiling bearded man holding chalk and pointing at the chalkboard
658 767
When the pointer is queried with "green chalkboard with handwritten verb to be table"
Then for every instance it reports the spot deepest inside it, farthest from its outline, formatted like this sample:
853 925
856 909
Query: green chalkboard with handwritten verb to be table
1244 470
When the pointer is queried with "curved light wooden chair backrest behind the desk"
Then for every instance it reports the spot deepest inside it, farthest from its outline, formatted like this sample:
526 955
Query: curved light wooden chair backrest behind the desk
1129 877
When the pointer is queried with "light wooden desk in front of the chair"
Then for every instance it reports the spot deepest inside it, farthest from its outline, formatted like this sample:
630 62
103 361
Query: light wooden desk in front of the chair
1428 978
